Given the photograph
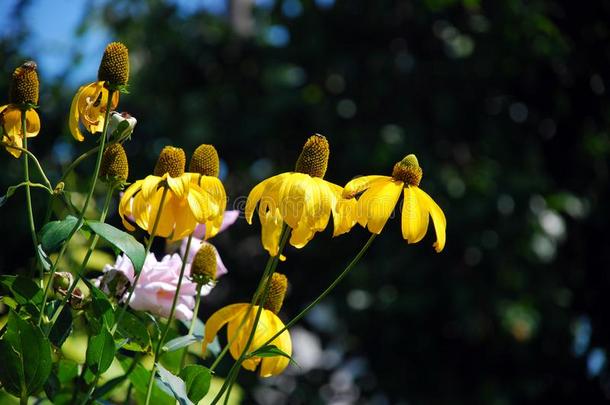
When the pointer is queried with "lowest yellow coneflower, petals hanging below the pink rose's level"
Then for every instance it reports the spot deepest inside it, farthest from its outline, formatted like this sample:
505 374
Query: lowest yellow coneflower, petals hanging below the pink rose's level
268 325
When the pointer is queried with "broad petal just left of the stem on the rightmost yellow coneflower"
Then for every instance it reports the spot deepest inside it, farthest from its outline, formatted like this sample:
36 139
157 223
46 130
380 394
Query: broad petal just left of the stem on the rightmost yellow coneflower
377 203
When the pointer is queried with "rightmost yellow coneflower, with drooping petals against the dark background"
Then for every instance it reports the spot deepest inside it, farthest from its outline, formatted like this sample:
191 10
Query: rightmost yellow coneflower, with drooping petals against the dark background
381 193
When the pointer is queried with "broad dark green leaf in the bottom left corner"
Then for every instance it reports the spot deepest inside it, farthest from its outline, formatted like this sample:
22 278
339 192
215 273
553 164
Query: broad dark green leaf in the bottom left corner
25 356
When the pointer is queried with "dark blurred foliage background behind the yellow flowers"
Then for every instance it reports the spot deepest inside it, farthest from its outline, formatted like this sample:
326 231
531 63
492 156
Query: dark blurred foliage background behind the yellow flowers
505 104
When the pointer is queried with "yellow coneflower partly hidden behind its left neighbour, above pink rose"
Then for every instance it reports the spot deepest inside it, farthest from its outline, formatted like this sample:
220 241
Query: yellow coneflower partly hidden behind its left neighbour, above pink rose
205 168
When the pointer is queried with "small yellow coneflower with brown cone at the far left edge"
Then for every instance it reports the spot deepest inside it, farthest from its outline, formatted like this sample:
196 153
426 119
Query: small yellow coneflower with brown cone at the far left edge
23 94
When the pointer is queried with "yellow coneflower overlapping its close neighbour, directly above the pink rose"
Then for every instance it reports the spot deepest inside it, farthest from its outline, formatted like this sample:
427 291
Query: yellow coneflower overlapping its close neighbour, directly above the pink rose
186 203
